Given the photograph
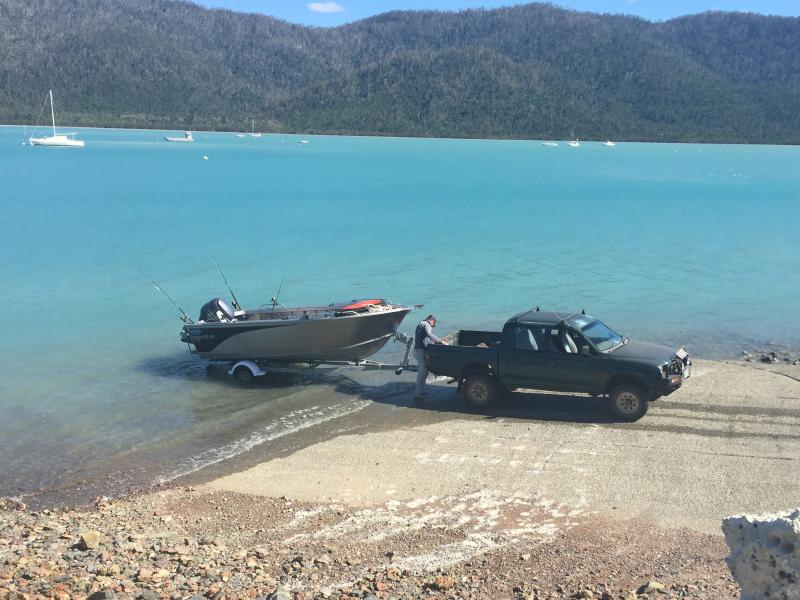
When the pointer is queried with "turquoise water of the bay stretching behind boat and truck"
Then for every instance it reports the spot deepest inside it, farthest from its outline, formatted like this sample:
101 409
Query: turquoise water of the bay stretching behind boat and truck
685 244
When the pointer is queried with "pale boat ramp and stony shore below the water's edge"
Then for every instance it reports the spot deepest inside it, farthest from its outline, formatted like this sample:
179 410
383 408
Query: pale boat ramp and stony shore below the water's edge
543 497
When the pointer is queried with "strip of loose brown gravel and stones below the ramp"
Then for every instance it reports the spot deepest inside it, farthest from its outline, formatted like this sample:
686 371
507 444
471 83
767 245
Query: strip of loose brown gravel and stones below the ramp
198 543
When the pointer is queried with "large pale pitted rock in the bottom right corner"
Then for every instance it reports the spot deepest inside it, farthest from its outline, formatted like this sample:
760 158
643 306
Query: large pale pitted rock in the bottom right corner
765 554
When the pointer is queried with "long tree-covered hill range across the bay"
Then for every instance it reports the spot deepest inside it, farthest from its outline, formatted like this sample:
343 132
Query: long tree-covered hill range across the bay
528 71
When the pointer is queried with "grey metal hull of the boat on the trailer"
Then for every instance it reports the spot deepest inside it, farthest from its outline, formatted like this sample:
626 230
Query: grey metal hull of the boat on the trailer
342 338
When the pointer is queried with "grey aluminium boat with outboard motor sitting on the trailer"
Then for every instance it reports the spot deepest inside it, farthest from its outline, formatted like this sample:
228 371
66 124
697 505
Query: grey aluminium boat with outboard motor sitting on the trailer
338 332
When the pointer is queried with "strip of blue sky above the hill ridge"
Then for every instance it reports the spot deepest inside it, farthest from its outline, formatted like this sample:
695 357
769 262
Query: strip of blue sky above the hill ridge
327 13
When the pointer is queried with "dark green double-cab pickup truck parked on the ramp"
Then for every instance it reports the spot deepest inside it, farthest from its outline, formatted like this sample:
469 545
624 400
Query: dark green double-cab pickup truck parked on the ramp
554 351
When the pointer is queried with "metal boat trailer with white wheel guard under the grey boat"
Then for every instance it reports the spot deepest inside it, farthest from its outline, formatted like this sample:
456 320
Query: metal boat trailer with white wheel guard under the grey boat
245 371
